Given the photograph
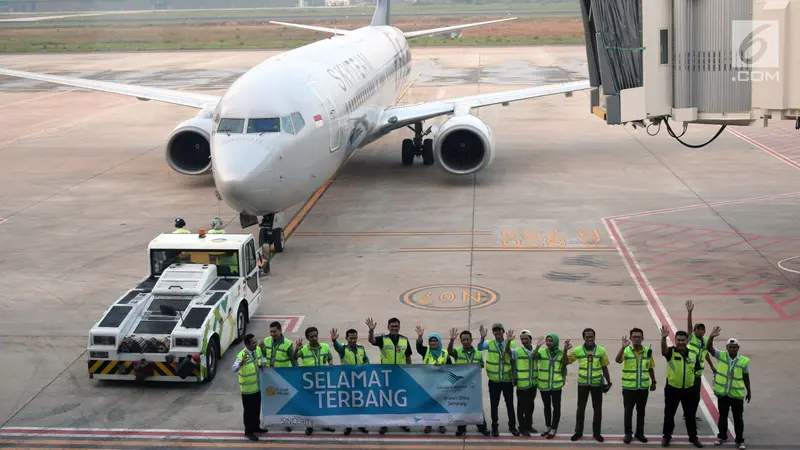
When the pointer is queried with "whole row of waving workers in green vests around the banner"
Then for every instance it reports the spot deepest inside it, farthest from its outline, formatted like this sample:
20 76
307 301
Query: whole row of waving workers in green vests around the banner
530 369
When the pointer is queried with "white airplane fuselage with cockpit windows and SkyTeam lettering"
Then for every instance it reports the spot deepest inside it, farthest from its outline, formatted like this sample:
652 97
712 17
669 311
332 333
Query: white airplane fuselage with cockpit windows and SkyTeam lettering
286 126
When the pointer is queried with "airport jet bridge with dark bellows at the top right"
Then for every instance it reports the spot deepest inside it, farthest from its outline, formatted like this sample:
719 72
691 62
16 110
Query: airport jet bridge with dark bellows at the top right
712 62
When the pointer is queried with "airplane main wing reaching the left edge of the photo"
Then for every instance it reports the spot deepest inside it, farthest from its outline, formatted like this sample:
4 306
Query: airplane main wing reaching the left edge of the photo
175 97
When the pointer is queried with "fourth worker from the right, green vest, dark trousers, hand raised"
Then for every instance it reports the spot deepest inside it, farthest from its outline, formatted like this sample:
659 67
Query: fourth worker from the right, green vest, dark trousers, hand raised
638 380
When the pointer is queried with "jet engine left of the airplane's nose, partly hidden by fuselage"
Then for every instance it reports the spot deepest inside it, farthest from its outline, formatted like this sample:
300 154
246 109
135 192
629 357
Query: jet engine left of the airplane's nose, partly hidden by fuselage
189 147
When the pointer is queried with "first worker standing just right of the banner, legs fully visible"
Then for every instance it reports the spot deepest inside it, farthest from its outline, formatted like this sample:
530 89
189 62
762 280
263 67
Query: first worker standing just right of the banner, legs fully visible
499 370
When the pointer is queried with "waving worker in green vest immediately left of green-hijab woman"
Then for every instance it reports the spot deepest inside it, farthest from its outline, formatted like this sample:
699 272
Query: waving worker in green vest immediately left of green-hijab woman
524 371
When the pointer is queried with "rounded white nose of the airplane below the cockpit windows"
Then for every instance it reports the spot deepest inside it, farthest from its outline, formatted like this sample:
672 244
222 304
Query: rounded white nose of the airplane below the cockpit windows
243 171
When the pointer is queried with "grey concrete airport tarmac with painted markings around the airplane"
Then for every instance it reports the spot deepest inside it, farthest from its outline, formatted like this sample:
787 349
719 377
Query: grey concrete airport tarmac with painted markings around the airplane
576 224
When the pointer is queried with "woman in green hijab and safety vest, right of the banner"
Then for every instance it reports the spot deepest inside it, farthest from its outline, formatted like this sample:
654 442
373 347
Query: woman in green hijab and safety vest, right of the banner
550 379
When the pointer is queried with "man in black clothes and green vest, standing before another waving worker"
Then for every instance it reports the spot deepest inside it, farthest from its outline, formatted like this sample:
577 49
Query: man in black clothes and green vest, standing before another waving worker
681 366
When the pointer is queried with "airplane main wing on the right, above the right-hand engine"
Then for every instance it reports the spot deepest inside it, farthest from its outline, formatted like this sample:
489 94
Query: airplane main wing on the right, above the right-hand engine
400 116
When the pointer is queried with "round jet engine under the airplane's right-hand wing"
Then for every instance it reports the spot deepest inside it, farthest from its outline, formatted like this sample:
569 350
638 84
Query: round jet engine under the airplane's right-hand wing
463 145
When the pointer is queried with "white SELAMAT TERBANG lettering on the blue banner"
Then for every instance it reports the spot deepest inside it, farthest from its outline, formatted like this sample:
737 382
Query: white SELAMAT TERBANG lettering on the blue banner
331 394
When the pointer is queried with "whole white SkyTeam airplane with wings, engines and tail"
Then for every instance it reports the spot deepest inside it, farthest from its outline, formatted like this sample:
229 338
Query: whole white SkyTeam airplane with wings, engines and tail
287 125
